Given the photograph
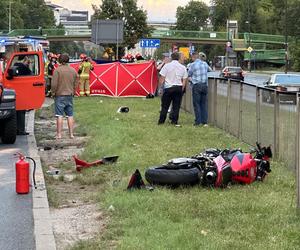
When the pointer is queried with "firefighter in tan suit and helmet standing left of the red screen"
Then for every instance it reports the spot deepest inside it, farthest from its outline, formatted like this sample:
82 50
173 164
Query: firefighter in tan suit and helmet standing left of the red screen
84 74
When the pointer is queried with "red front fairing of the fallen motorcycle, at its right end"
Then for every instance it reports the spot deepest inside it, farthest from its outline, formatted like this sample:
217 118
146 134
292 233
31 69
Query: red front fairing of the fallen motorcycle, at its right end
243 168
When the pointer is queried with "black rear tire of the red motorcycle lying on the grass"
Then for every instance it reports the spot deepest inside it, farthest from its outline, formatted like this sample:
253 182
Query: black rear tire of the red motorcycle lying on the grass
172 176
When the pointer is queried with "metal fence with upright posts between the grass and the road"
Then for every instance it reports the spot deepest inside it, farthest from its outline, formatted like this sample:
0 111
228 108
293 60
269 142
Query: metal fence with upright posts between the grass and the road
253 113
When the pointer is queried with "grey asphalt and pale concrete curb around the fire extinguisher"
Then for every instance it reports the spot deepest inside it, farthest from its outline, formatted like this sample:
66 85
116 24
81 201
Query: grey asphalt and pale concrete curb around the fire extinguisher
25 221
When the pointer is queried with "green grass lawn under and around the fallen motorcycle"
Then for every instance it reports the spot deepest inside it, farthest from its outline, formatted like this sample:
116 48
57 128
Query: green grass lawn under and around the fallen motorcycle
258 216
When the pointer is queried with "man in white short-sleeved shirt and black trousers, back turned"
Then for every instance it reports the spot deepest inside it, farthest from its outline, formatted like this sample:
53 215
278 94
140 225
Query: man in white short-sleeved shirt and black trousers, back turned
173 76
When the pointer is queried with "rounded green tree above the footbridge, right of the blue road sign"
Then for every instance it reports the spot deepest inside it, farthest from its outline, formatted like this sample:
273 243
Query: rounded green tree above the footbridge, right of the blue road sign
193 16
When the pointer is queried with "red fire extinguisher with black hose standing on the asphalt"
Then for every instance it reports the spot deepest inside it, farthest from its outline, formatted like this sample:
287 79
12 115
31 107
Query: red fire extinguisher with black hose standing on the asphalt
22 174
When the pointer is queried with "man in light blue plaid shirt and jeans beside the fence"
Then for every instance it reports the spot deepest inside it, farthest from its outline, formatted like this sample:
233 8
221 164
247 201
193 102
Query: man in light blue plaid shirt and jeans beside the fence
199 80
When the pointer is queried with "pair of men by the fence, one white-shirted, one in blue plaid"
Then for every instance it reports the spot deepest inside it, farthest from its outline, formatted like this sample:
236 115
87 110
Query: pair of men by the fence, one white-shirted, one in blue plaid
174 78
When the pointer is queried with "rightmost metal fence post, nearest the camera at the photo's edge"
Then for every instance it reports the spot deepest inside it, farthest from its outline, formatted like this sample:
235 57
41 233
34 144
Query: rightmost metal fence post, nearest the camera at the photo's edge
297 154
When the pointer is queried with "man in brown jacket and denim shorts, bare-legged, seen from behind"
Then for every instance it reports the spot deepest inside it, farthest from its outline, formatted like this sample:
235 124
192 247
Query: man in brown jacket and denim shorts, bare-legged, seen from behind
63 87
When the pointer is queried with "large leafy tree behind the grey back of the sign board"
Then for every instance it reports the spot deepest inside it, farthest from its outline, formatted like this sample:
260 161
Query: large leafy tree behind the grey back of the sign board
135 19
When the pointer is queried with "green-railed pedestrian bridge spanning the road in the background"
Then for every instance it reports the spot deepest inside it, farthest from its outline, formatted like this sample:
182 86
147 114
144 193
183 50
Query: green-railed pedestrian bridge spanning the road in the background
259 42
